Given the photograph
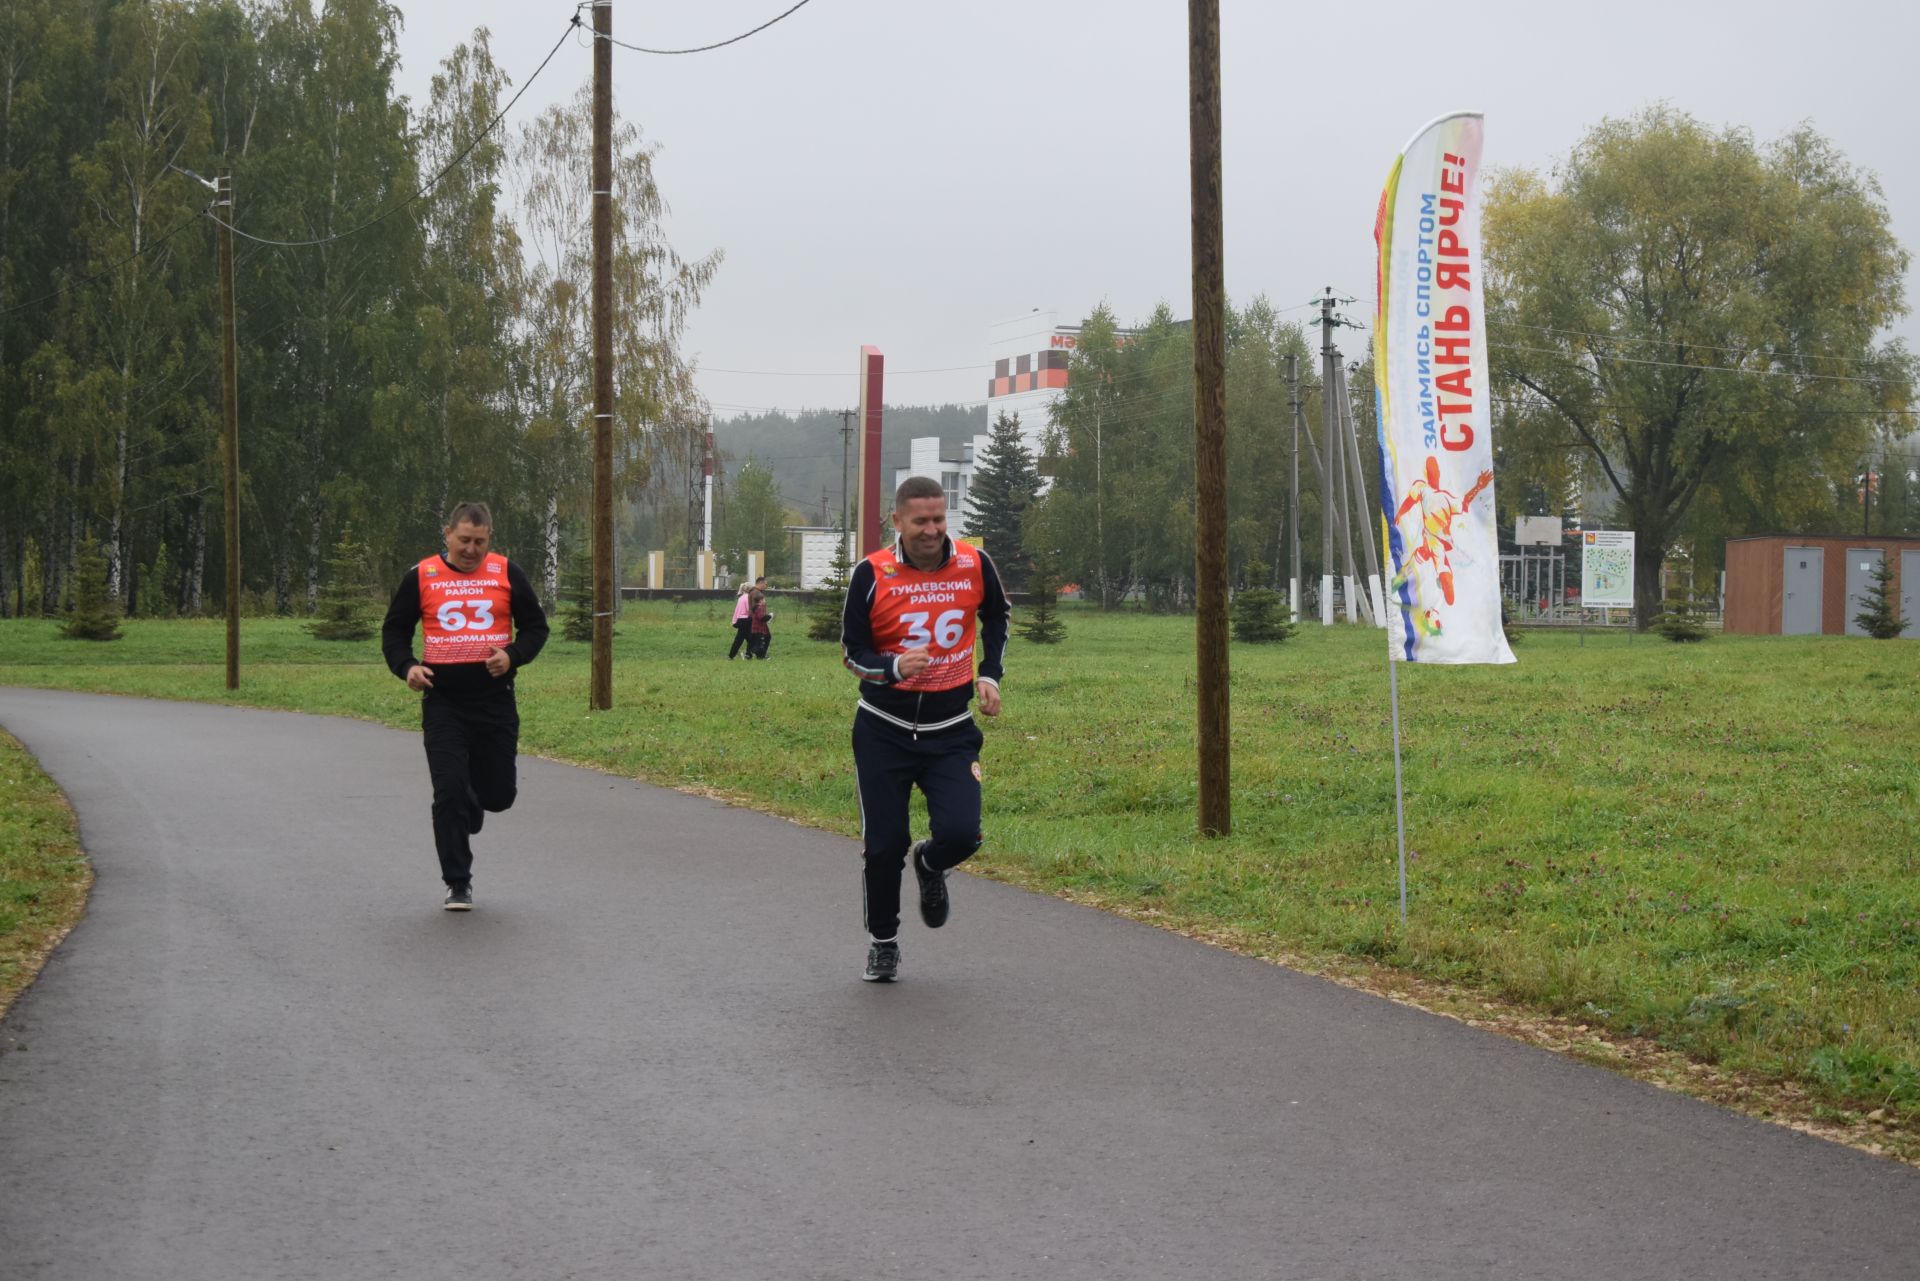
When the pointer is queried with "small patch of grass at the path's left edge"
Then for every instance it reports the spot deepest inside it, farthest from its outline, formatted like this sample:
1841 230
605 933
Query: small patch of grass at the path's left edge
43 873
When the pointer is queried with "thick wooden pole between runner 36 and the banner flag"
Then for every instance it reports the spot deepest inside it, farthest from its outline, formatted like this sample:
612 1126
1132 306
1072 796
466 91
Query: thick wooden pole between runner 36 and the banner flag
1211 418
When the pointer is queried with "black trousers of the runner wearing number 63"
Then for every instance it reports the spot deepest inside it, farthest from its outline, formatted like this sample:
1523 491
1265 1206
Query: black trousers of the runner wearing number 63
469 752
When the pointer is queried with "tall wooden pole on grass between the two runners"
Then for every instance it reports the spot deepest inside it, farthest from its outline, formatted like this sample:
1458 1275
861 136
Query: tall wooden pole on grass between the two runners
602 698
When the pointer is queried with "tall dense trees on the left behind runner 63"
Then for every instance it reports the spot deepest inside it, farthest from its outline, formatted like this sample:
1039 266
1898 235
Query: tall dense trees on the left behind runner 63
412 295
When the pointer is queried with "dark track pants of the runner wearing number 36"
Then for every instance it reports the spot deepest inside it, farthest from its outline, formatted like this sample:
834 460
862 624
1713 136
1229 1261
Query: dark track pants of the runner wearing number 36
890 763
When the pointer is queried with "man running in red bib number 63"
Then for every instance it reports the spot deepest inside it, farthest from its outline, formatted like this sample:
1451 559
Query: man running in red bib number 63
469 604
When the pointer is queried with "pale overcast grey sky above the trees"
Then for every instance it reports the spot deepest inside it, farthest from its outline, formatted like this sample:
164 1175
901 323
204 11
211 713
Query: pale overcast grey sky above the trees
903 174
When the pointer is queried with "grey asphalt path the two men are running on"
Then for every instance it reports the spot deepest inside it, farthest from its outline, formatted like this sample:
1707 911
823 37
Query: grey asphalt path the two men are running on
268 1053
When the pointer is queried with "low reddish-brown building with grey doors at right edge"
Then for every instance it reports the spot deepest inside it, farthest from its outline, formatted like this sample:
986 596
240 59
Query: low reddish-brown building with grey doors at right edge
1785 585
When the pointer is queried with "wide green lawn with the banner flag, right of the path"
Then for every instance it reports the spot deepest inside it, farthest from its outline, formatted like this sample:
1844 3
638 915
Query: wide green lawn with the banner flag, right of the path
1708 850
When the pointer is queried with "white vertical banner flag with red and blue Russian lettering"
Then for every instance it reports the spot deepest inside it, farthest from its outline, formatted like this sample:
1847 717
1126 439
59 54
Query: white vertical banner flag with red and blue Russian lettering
1429 368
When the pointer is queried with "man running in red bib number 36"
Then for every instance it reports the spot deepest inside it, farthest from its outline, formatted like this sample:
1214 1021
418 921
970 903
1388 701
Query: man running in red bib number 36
915 617
